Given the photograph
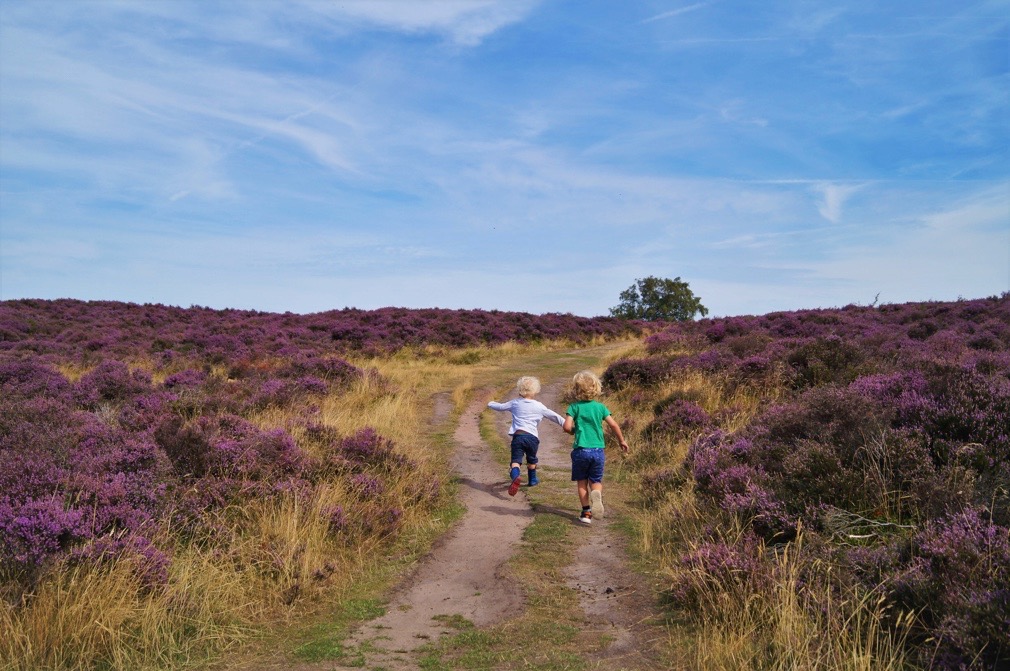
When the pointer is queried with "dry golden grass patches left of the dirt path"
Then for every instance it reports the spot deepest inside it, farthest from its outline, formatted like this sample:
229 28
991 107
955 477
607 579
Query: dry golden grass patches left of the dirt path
272 560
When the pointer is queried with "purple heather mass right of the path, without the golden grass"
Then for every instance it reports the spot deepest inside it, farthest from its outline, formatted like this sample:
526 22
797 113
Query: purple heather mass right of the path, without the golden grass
886 444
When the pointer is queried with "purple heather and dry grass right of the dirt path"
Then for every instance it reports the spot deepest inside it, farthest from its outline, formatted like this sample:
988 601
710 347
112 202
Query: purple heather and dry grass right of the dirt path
831 489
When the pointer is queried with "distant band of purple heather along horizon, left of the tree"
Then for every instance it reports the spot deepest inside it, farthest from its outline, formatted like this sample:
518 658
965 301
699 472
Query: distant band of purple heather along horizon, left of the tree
81 331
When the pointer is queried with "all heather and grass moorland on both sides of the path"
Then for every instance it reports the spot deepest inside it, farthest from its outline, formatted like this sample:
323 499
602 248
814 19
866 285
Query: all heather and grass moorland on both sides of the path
817 489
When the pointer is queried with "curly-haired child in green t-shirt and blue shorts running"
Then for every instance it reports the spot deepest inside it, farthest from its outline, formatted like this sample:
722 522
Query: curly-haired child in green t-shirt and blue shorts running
586 419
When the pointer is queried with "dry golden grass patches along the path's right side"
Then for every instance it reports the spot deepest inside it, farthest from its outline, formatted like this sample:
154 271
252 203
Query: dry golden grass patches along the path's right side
786 627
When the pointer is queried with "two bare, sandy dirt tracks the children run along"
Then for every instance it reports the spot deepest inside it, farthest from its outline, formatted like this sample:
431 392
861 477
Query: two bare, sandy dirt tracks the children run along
466 573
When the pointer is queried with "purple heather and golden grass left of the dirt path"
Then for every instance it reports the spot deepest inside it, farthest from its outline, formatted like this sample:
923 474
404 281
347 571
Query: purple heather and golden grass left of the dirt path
173 482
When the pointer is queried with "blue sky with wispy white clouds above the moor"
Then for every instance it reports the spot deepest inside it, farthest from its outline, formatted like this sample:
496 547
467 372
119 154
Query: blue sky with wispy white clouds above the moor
519 155
